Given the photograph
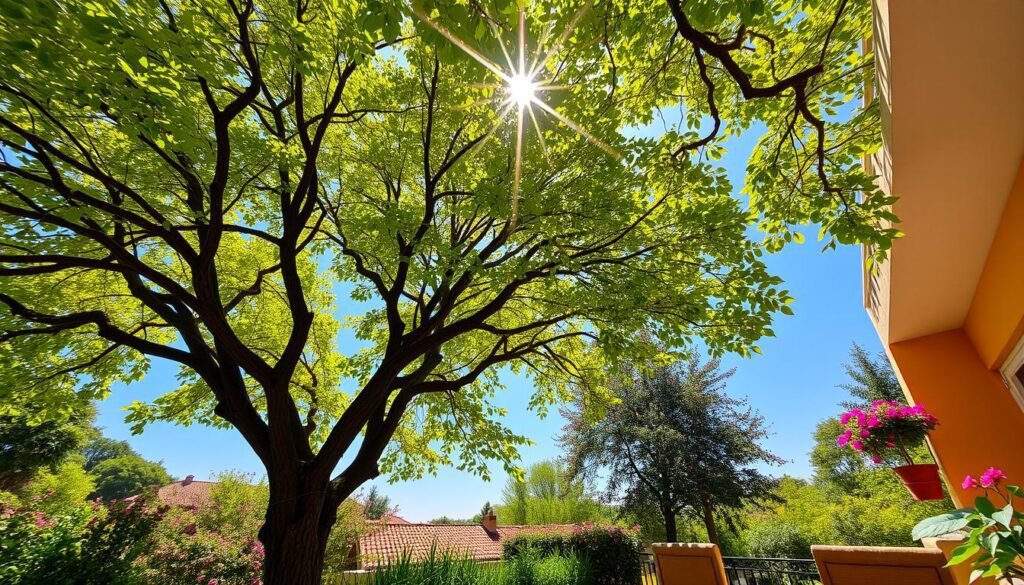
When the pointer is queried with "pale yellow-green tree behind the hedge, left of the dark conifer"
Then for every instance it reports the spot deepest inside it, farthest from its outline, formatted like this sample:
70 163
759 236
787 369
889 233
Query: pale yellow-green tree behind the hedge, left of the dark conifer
547 496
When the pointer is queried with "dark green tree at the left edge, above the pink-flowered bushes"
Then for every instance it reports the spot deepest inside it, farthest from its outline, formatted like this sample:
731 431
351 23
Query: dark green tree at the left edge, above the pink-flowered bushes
28 446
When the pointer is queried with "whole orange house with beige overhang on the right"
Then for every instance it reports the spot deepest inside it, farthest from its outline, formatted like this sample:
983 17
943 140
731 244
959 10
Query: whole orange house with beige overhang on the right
949 304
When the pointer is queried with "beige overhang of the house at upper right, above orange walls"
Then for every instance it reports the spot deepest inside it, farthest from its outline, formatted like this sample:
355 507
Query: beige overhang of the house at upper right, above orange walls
951 79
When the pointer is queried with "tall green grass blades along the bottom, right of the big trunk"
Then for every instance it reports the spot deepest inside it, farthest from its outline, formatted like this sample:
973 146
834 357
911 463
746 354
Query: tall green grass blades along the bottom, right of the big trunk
449 569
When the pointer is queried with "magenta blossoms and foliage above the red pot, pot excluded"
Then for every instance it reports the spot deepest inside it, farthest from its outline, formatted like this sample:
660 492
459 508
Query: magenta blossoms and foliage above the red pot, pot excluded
886 431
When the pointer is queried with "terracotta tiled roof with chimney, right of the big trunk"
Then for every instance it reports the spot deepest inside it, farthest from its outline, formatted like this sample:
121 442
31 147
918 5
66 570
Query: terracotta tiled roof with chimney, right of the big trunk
389 544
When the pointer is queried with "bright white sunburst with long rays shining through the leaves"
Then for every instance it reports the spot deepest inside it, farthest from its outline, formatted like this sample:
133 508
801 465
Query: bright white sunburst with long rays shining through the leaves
522 90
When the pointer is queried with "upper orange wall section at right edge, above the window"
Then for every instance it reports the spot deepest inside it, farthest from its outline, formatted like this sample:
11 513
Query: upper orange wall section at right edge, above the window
996 321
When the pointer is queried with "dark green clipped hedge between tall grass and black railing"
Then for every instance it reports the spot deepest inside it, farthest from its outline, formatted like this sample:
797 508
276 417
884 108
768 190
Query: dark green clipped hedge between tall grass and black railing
614 554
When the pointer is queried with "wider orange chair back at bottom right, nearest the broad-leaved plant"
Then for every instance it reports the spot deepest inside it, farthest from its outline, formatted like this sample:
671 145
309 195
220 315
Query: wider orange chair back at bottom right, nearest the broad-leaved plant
881 566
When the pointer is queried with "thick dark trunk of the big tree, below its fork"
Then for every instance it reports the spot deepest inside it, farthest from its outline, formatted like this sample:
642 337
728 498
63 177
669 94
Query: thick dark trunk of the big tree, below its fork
295 533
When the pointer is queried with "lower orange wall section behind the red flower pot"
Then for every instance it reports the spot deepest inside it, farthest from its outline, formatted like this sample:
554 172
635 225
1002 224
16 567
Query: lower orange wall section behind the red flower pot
982 426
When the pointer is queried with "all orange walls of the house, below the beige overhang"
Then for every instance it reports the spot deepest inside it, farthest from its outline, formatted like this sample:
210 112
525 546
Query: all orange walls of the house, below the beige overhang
956 373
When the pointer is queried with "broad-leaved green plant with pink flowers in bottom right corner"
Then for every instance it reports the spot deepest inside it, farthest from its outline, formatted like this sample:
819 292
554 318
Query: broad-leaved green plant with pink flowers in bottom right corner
995 531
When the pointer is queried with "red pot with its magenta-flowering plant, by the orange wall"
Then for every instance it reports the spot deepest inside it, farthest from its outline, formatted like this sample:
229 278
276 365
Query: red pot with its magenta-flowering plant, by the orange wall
886 432
